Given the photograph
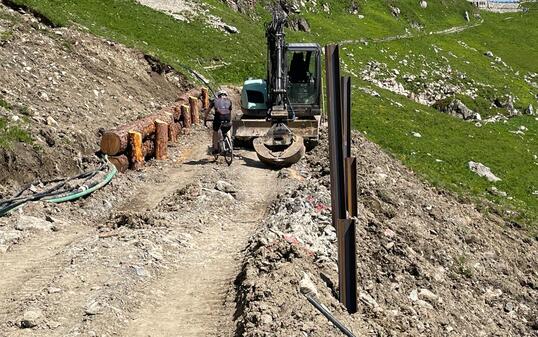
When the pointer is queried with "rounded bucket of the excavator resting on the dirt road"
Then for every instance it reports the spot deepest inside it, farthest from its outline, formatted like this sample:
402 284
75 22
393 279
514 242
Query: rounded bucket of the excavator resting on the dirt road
279 155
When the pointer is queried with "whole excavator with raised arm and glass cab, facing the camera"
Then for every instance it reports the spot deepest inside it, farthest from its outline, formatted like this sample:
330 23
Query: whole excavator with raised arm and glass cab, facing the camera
283 112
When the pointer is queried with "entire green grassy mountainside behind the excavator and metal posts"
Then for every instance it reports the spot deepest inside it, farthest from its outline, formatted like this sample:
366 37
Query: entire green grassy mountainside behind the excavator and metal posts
447 143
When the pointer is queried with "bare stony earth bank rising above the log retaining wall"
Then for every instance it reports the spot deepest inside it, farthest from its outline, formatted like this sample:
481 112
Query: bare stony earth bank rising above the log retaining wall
62 85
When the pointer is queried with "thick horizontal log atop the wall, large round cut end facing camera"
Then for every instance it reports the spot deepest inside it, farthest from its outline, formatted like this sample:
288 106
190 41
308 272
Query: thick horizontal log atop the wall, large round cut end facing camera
116 141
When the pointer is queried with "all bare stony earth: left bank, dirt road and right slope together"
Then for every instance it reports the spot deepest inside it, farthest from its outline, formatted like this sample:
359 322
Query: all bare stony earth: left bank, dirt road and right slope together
191 247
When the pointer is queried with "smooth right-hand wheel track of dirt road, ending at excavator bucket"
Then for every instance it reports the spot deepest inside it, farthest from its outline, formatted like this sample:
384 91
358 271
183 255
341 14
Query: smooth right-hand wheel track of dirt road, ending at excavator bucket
193 296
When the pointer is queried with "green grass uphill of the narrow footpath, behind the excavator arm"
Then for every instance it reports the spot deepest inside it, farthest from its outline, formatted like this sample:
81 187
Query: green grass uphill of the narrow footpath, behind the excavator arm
196 46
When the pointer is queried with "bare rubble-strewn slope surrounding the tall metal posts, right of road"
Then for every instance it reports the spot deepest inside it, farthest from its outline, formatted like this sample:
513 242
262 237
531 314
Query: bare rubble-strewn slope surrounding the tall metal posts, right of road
428 265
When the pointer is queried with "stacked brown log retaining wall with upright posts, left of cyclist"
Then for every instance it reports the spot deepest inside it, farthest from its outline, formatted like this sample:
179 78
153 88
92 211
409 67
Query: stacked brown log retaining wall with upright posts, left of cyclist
130 145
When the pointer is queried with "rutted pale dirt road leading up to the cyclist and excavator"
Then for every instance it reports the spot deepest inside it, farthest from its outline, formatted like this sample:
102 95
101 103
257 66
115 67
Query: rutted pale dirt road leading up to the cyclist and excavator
159 261
